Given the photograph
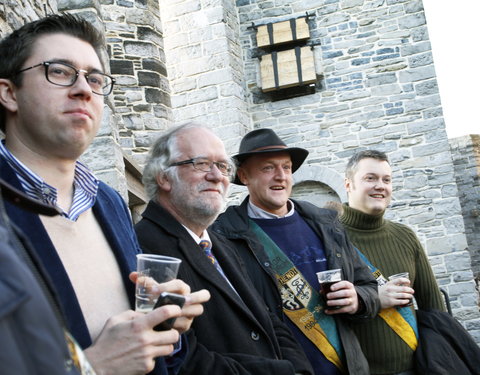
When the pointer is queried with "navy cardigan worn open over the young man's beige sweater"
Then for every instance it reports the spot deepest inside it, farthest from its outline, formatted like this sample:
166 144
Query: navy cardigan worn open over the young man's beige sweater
113 216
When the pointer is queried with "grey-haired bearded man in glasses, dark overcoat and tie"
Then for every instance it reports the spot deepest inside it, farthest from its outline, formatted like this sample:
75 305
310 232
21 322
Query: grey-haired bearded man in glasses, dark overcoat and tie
187 178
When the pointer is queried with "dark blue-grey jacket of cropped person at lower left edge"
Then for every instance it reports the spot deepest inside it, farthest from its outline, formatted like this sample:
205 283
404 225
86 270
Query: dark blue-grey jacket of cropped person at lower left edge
31 331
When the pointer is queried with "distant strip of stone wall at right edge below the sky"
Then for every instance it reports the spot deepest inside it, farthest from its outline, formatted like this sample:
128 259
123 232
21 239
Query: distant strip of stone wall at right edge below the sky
466 159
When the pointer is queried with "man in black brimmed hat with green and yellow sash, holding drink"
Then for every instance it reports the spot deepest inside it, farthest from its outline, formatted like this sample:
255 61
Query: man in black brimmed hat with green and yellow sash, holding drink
284 243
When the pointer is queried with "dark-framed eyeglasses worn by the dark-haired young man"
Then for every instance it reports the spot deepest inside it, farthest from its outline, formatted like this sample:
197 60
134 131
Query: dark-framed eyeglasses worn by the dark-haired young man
63 74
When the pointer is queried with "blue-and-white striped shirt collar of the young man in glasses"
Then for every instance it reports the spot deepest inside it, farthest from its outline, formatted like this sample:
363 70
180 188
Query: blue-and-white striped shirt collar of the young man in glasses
85 185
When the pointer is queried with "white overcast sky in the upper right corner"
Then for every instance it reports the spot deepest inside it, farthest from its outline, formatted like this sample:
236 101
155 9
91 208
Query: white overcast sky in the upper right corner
453 31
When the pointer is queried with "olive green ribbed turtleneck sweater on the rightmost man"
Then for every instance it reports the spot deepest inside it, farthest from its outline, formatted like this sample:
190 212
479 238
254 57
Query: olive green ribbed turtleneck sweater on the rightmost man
392 248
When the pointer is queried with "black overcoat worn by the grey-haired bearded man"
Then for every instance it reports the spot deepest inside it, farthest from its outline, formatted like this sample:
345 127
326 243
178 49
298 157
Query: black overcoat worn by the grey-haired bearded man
234 335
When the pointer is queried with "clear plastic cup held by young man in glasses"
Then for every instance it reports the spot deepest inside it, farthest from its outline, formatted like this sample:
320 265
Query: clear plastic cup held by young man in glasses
152 270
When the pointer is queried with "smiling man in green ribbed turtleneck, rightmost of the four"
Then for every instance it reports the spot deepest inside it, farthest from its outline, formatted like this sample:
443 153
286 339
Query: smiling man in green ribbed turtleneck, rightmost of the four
391 248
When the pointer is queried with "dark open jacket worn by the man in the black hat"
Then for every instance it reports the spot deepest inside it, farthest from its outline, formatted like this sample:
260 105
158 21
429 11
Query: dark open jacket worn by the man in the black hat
234 224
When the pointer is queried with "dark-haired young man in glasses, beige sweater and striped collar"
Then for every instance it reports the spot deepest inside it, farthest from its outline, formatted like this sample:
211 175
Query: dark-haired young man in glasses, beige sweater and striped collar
52 85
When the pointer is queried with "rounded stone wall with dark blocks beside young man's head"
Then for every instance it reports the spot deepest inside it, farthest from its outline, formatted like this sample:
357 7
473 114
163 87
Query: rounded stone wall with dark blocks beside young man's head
142 92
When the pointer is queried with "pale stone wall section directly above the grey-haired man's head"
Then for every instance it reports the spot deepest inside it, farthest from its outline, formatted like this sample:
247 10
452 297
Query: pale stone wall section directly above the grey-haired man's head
204 62
